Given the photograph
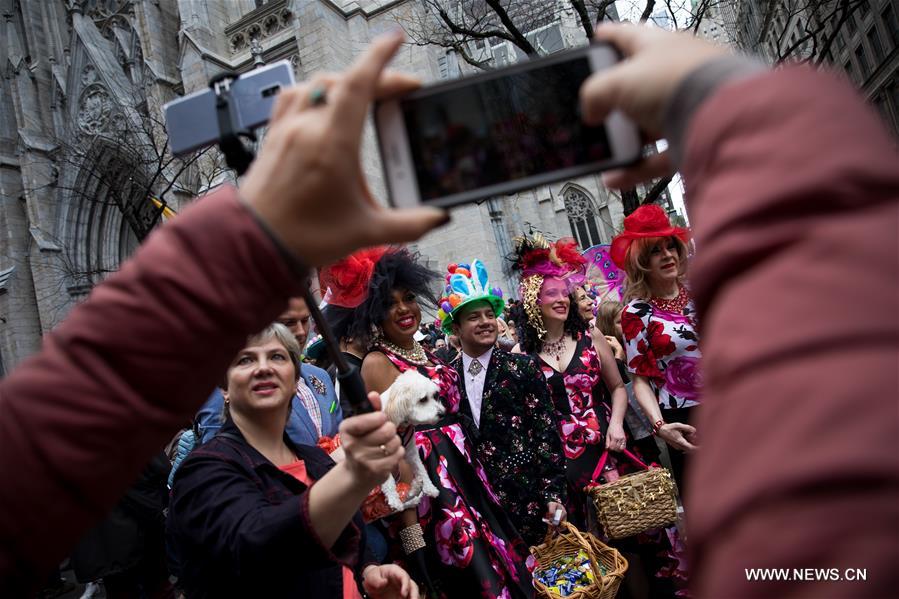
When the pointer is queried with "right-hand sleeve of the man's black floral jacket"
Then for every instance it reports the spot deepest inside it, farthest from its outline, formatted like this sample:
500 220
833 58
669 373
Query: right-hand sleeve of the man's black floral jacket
546 435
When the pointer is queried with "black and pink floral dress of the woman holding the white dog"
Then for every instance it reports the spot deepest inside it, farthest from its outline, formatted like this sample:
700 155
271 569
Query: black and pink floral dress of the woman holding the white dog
473 550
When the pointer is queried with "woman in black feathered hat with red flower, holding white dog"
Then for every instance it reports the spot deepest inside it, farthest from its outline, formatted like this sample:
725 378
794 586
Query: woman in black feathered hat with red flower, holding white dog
463 537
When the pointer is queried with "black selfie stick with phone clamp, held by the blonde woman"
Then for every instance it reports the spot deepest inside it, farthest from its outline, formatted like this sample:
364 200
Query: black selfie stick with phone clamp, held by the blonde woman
239 157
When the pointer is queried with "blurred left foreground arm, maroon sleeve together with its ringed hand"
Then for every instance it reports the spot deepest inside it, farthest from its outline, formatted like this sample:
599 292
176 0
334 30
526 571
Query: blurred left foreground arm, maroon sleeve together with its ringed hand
133 362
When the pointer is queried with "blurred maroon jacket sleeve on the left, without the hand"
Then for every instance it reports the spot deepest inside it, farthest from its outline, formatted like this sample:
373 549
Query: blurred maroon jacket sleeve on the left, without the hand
124 371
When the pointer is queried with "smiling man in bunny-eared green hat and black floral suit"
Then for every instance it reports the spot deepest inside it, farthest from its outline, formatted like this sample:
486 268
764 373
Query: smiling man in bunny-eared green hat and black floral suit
507 403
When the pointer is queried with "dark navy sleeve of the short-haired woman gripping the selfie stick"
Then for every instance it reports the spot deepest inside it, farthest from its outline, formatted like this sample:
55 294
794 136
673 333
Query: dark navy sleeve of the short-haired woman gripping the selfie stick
217 505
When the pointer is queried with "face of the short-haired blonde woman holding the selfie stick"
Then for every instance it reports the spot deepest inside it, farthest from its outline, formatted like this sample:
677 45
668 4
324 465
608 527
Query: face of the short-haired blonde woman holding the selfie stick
261 378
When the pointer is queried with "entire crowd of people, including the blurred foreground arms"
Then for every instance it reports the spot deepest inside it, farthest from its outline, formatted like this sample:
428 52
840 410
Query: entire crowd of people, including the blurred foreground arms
782 459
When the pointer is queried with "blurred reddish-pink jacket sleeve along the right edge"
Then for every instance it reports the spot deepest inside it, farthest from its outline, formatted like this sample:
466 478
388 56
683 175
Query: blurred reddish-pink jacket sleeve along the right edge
793 188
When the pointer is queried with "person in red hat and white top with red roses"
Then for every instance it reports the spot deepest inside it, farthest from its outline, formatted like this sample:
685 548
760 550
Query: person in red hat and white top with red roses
659 327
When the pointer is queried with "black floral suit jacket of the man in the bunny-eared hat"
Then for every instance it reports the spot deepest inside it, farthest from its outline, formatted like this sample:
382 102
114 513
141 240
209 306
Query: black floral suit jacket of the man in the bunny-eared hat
517 441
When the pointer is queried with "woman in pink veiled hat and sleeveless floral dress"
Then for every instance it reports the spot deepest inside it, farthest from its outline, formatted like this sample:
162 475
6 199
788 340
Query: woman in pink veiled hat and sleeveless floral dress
587 391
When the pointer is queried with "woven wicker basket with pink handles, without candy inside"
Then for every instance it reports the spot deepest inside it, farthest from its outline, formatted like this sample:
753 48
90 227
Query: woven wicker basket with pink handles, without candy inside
635 502
